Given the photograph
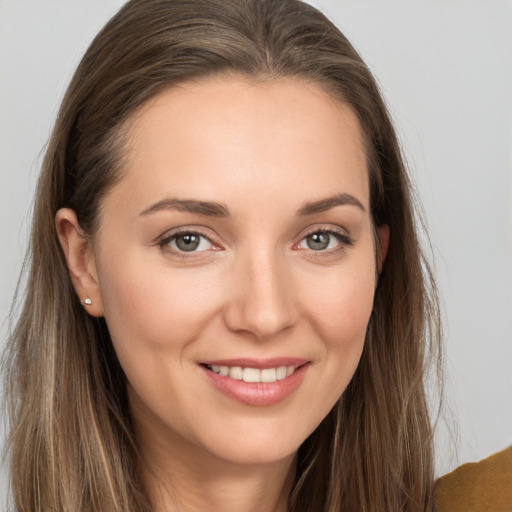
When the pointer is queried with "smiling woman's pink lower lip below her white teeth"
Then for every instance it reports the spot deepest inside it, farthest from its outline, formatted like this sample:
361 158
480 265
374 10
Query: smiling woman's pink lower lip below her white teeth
257 393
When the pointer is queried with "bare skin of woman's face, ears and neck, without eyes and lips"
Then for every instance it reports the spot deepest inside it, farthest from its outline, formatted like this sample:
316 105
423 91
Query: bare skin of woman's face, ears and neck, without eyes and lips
254 288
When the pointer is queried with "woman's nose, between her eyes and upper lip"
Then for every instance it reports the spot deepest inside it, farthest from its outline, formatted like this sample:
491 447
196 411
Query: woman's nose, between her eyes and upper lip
261 299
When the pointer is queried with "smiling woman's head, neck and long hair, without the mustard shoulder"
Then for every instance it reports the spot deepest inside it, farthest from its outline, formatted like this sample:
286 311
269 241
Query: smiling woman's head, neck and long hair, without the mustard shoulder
227 305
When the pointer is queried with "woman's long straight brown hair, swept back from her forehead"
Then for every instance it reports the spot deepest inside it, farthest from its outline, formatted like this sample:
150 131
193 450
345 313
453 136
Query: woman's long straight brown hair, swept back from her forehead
71 441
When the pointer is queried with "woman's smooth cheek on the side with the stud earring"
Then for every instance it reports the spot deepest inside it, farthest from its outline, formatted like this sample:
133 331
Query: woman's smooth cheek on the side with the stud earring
150 311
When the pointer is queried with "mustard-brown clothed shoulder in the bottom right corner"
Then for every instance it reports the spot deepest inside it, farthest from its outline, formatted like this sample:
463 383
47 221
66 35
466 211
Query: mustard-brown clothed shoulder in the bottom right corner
479 486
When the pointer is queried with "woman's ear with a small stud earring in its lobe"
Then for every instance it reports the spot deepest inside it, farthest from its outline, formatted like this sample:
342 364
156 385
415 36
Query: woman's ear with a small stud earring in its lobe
80 261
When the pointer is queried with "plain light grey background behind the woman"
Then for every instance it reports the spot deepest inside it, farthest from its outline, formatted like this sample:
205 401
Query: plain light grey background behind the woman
446 71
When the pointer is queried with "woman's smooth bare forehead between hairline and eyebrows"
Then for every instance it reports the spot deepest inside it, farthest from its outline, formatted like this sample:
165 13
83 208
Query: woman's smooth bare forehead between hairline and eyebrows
227 136
